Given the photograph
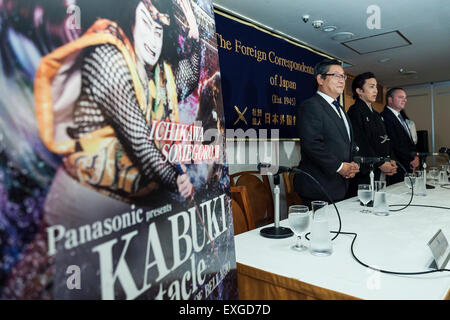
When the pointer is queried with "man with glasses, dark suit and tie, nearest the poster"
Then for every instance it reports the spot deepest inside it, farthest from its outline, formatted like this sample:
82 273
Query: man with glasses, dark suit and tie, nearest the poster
326 138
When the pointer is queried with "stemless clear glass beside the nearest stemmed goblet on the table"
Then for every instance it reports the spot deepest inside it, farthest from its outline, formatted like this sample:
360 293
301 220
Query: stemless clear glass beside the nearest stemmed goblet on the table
320 244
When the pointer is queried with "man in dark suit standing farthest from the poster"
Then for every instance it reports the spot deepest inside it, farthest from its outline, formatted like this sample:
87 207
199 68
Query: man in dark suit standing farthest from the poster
399 133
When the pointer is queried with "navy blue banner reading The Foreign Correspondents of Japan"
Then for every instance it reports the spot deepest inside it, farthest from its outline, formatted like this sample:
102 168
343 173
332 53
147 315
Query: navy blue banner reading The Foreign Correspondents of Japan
264 77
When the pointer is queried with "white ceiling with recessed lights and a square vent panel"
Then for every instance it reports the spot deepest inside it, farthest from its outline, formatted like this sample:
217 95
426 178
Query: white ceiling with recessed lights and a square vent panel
424 24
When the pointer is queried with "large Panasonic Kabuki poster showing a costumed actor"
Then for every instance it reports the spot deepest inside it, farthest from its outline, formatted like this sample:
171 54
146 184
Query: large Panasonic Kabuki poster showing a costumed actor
113 180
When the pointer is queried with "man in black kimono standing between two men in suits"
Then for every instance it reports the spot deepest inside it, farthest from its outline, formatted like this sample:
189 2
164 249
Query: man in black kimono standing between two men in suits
370 133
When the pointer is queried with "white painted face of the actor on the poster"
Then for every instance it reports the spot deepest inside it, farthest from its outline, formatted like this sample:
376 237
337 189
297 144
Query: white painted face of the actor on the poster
148 36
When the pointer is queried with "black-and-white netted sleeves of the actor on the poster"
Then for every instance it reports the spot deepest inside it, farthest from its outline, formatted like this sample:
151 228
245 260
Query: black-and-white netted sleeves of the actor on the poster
108 98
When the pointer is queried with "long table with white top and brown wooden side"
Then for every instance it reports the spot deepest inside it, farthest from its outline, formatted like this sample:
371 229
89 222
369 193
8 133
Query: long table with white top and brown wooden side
271 269
